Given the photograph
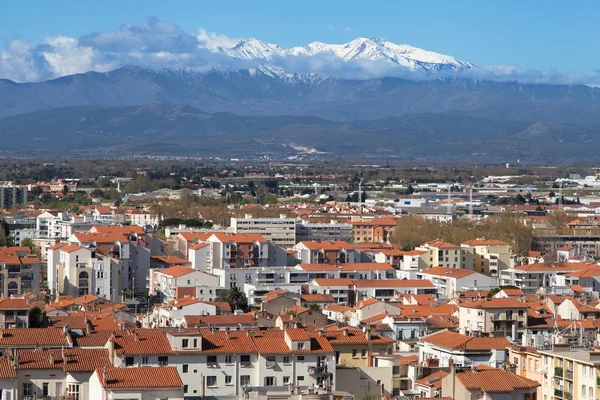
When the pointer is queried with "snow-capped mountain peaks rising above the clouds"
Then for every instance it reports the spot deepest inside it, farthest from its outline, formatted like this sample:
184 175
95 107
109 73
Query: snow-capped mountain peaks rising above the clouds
376 49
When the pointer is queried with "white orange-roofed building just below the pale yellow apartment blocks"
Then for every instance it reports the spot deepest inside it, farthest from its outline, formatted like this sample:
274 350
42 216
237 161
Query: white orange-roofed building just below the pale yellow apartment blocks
448 281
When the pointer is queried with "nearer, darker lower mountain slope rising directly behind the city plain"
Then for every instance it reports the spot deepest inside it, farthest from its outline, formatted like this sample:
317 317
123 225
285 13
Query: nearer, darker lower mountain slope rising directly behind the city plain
177 130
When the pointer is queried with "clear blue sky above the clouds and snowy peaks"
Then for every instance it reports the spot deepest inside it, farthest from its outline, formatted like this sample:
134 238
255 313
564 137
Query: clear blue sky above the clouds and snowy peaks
545 35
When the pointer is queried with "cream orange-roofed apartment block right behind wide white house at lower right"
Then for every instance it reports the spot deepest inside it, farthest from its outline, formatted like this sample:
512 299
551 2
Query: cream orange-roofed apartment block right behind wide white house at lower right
498 317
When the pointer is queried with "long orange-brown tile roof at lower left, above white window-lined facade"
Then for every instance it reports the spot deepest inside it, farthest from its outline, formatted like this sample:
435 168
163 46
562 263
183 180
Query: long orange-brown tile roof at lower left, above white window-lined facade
74 359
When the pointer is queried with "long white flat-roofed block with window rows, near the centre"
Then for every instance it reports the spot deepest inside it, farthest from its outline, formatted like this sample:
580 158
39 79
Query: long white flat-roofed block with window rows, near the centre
280 231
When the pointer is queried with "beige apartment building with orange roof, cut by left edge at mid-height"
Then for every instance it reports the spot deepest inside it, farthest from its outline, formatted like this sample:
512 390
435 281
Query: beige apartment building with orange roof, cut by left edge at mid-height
19 271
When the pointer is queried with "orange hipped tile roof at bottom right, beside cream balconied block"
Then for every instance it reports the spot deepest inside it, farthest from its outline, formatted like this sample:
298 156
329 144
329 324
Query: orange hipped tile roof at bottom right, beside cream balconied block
494 380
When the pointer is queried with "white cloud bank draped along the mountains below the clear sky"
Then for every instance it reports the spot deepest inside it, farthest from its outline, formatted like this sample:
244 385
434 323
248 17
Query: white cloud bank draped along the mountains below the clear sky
160 44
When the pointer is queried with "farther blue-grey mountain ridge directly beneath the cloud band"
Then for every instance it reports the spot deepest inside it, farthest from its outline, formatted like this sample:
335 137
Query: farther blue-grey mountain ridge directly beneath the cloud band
264 92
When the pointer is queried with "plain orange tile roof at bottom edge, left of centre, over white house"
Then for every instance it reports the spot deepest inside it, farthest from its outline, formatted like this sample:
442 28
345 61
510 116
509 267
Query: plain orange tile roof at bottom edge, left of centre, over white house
142 378
